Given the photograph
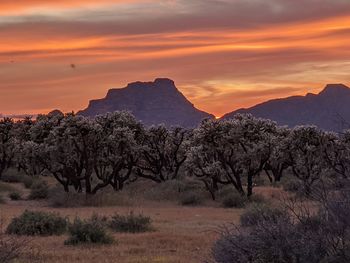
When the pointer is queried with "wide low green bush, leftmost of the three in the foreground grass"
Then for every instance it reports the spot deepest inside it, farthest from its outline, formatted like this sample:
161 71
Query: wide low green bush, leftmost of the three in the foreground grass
36 223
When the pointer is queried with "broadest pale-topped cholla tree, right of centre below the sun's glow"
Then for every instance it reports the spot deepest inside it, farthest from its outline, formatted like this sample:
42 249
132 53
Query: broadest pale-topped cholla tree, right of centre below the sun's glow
228 151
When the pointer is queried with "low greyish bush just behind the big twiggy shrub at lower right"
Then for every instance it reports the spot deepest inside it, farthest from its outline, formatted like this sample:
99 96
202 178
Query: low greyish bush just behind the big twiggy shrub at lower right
257 213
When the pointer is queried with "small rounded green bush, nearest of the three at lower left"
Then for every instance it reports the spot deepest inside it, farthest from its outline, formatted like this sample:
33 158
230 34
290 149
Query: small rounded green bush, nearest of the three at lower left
91 231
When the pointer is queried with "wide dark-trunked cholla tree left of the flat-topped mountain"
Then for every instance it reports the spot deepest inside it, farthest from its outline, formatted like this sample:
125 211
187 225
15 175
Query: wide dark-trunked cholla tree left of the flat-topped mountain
67 149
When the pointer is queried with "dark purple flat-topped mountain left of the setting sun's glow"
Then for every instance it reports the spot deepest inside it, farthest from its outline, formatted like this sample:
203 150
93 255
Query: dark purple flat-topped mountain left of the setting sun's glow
150 102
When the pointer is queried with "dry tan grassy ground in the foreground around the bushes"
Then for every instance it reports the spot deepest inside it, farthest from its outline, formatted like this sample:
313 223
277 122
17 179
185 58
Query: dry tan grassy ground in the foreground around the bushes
182 234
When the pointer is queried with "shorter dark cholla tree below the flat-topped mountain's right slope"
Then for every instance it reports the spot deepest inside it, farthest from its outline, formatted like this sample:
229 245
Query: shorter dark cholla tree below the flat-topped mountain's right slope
163 153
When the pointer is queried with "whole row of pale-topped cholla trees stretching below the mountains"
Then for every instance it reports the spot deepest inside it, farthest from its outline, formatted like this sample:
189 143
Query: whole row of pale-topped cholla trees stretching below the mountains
114 150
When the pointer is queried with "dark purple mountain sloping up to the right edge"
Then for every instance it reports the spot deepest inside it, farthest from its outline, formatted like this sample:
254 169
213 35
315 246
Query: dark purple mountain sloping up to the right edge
329 109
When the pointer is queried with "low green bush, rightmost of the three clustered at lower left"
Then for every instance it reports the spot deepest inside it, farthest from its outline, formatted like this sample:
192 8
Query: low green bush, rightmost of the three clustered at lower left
130 223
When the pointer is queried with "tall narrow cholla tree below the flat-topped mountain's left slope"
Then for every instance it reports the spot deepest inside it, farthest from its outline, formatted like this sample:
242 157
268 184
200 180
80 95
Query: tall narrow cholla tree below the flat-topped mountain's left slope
119 149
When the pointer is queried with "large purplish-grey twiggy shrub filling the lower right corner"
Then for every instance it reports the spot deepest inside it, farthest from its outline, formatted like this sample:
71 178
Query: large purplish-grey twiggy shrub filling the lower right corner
294 234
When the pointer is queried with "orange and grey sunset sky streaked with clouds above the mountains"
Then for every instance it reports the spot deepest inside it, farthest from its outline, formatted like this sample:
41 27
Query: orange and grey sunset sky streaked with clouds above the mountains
222 54
